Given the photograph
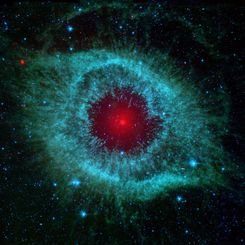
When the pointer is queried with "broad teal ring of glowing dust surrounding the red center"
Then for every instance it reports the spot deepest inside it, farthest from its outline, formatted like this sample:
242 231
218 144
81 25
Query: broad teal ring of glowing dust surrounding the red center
60 90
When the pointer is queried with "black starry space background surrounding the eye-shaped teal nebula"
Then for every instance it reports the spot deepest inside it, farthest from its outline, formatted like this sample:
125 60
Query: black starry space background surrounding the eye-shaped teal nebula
30 209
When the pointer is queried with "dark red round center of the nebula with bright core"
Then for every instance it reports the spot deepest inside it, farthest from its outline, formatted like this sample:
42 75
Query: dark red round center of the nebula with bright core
121 121
